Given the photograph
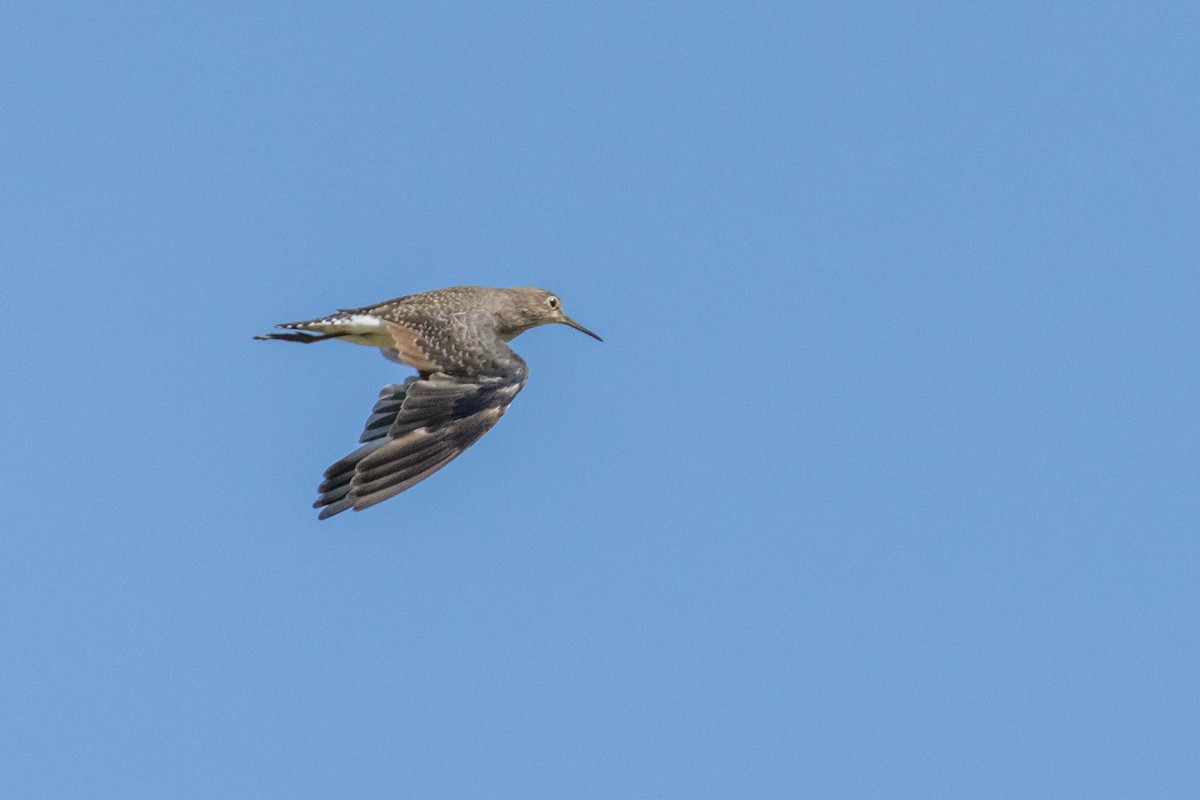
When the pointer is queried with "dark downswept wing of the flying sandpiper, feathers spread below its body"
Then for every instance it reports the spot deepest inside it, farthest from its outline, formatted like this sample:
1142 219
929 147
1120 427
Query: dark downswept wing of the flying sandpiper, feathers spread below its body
416 430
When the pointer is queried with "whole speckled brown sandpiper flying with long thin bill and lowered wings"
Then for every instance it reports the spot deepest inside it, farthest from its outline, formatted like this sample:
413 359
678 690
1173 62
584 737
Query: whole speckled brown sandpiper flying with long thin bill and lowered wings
467 376
